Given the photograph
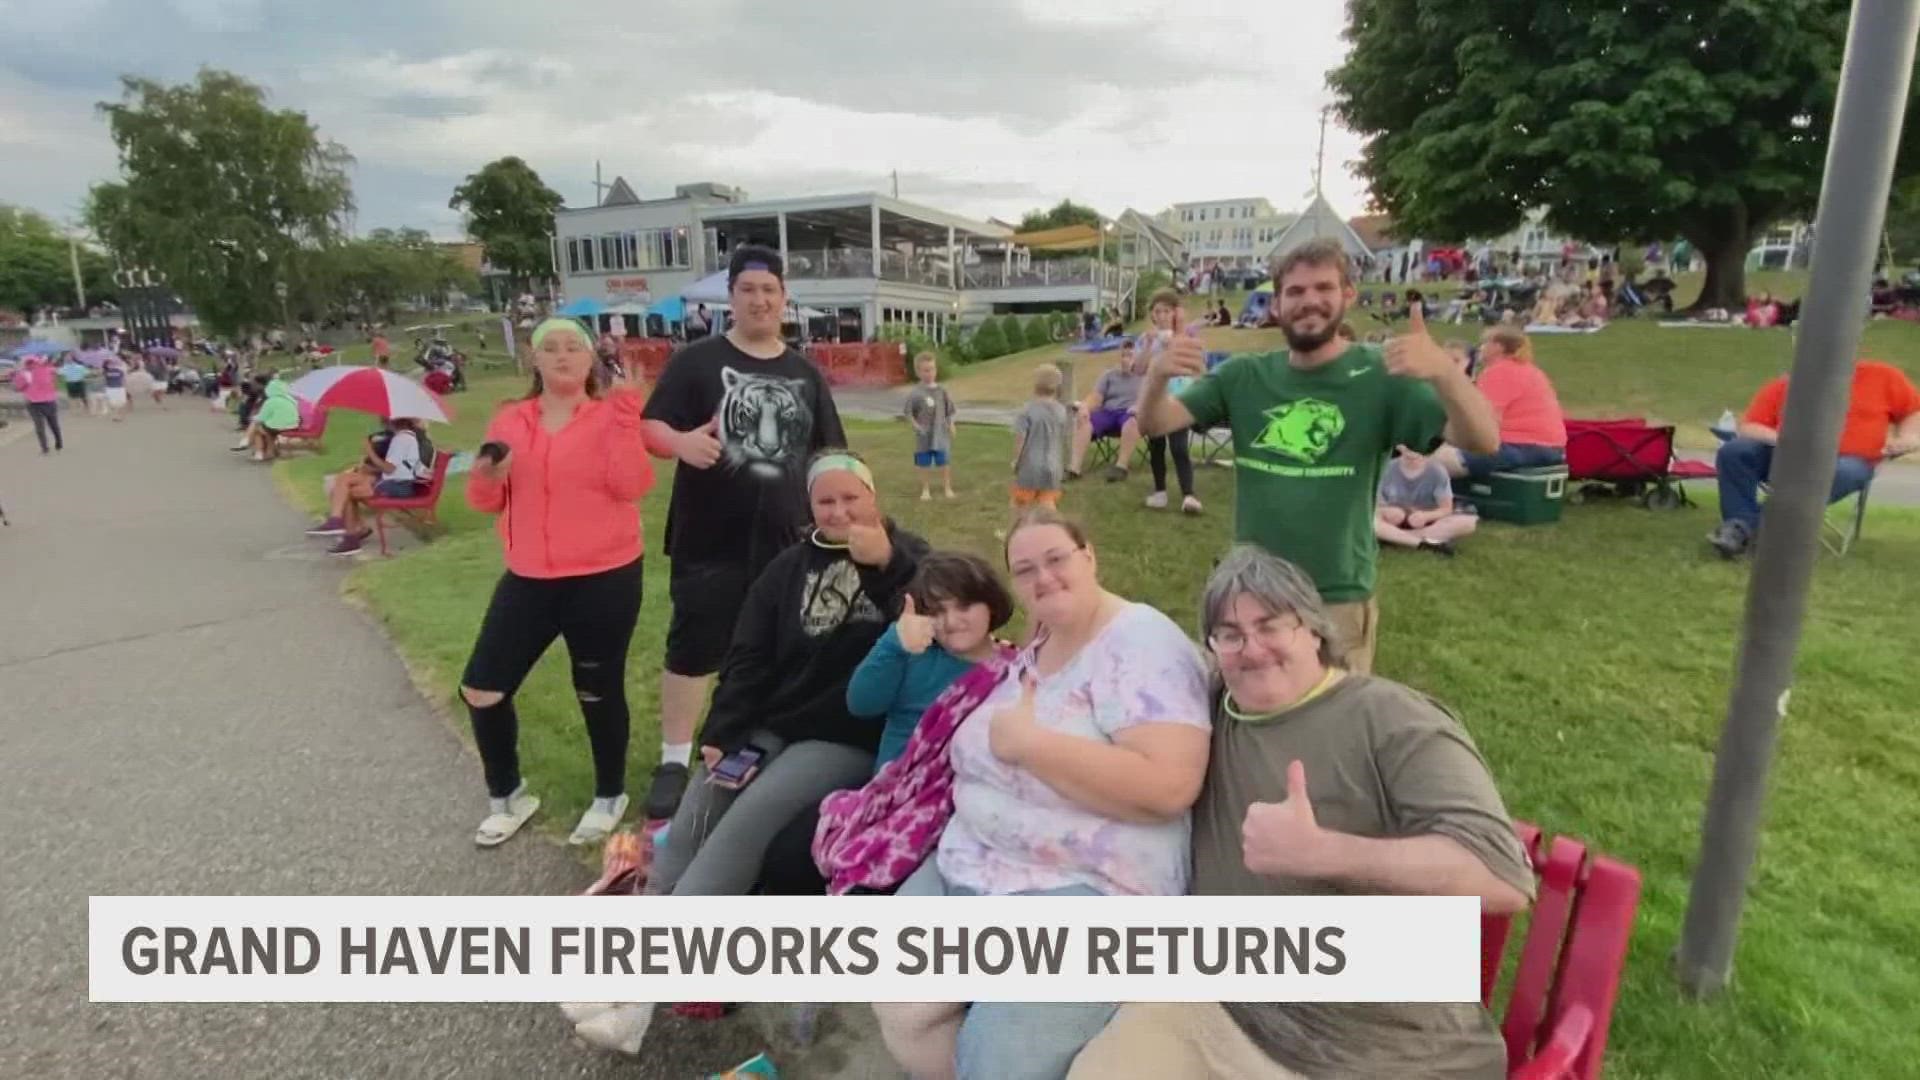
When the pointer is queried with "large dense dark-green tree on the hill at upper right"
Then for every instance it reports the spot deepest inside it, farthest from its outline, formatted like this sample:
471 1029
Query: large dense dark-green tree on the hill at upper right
1677 118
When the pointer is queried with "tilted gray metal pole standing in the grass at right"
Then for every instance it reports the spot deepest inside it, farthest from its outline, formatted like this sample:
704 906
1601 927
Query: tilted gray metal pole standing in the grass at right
1854 199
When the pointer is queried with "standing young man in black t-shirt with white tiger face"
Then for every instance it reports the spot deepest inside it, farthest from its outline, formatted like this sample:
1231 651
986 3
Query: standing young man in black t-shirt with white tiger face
742 412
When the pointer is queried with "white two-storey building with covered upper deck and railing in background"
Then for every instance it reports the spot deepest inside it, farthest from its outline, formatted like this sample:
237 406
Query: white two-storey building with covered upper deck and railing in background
867 260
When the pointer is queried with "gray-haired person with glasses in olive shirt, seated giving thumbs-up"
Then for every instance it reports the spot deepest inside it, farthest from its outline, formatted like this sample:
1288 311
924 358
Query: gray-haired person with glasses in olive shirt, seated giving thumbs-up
1324 783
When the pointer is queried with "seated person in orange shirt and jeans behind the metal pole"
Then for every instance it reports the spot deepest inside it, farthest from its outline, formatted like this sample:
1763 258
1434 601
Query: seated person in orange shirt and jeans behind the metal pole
1883 422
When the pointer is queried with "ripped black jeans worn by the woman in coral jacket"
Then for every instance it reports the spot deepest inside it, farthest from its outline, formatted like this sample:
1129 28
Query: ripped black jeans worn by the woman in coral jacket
596 614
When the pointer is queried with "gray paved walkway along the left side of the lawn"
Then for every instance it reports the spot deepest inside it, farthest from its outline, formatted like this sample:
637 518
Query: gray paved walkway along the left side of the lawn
189 708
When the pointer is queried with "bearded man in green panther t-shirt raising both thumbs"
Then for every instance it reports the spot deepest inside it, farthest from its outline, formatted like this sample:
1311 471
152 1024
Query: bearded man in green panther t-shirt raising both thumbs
1314 426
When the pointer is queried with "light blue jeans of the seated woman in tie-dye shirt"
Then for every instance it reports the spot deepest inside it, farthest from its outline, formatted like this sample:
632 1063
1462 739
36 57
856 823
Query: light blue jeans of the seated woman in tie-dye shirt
1017 1041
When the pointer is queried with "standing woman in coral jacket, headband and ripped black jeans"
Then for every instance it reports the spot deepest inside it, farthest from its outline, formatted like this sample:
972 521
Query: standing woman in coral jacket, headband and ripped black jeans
564 470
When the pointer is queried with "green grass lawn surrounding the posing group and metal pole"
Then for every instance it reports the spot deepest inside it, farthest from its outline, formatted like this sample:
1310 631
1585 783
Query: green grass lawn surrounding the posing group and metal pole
1591 660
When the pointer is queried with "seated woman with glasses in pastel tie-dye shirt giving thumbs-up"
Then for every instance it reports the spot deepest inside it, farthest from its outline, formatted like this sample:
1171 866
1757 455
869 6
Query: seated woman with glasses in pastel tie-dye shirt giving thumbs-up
1074 777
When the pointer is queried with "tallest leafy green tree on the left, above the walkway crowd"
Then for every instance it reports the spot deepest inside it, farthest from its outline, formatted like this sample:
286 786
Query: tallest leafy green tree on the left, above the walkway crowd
218 191
